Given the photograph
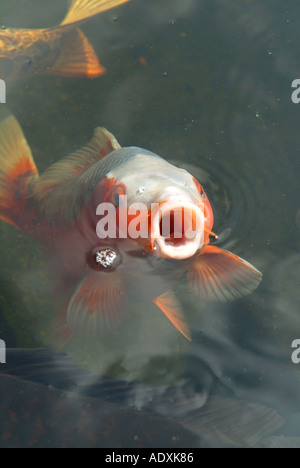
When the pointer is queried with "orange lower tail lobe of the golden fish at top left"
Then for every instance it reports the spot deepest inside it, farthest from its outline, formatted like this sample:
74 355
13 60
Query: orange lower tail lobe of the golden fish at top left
77 58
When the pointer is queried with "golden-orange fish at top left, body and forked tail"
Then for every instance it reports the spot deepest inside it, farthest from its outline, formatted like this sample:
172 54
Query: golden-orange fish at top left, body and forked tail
58 51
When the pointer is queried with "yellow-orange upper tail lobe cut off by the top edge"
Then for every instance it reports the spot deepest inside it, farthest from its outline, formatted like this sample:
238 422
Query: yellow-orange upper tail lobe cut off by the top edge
81 10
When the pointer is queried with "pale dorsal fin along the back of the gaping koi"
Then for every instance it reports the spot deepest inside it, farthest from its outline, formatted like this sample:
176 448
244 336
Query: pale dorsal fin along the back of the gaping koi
102 143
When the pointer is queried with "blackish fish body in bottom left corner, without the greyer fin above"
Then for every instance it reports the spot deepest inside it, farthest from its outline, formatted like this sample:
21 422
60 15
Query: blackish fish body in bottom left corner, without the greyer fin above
43 417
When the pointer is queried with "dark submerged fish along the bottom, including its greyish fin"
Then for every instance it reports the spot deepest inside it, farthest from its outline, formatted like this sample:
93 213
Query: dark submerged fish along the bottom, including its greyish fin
50 401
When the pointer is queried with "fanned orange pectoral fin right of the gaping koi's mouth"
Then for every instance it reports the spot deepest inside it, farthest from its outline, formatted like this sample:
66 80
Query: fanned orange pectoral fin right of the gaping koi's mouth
219 275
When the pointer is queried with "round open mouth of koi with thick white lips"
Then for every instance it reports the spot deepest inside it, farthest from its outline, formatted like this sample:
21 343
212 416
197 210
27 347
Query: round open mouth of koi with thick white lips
177 229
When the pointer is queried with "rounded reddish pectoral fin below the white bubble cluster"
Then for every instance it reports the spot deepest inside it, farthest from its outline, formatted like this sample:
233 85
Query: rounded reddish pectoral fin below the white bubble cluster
98 303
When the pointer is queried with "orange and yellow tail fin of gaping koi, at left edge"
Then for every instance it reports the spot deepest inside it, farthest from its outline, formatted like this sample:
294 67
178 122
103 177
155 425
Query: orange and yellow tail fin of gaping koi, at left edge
16 167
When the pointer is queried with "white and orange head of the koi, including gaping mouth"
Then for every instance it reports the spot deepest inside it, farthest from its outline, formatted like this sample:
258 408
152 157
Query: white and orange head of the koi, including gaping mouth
163 207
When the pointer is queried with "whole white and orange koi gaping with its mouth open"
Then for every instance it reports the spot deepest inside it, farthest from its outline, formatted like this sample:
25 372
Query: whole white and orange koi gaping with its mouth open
61 209
